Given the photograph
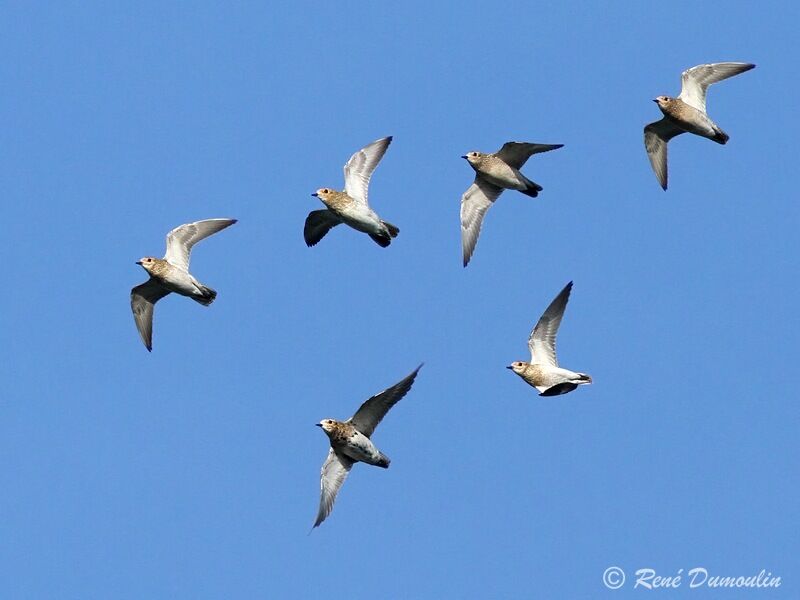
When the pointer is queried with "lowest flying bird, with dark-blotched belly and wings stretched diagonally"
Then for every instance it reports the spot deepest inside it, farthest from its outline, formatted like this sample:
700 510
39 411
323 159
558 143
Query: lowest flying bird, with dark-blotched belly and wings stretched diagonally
351 443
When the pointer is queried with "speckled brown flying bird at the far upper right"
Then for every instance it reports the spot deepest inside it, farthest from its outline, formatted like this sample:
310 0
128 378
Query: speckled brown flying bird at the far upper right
687 113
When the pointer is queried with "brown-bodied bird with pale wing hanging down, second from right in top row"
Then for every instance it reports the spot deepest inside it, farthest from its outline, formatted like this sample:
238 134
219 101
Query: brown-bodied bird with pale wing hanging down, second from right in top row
493 174
